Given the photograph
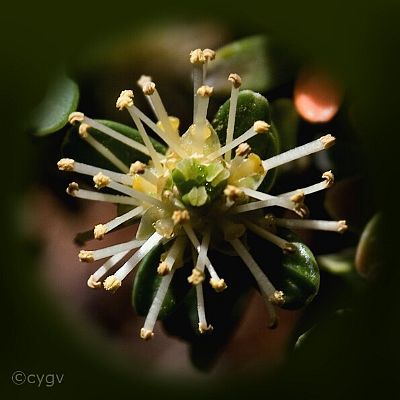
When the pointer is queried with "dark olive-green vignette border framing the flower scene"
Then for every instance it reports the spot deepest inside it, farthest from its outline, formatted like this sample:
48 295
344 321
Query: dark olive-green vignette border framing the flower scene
356 358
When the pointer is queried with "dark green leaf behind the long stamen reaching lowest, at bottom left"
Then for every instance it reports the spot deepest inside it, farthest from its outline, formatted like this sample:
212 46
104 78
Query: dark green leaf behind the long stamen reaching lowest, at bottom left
147 281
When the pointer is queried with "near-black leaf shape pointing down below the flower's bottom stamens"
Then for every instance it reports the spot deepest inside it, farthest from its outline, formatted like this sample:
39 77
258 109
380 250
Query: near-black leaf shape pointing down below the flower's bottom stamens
223 311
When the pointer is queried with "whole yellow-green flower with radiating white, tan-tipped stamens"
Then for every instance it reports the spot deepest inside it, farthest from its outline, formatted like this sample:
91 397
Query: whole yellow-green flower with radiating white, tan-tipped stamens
194 195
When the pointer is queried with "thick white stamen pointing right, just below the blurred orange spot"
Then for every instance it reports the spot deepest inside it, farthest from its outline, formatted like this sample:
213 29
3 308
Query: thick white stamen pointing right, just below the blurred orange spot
322 143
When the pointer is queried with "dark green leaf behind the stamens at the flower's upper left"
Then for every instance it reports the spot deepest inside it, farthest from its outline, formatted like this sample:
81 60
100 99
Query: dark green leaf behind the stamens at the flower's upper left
81 151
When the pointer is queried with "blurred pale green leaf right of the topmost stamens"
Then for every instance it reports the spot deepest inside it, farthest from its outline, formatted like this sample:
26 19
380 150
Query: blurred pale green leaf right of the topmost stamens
262 63
